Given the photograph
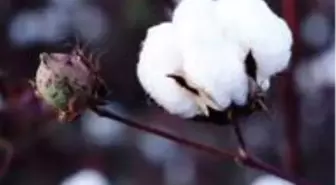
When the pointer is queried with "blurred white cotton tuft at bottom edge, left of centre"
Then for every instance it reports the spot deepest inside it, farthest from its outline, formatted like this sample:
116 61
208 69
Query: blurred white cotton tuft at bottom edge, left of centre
86 177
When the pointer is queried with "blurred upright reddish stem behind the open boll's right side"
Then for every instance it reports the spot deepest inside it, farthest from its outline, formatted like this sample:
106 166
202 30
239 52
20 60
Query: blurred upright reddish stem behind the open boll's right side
291 103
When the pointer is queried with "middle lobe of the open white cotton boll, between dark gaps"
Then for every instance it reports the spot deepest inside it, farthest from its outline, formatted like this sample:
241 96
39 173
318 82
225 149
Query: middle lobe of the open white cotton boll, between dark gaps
211 60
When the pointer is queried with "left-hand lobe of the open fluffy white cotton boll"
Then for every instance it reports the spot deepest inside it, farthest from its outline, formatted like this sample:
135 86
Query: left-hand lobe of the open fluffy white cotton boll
159 57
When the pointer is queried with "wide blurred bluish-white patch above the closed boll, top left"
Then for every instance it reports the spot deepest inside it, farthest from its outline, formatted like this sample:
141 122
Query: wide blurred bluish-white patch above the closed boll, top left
55 21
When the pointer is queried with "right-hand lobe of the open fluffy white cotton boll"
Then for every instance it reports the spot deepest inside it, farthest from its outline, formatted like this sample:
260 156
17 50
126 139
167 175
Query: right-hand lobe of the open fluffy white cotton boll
260 30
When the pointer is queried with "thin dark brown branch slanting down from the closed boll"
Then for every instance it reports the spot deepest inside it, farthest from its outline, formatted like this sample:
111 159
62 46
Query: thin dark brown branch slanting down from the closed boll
241 157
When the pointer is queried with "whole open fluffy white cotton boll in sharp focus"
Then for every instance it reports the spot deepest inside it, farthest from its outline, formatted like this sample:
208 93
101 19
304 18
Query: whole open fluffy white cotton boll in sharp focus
197 62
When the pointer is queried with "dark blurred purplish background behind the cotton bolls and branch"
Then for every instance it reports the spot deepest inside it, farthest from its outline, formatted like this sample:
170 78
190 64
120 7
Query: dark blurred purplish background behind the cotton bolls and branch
98 151
